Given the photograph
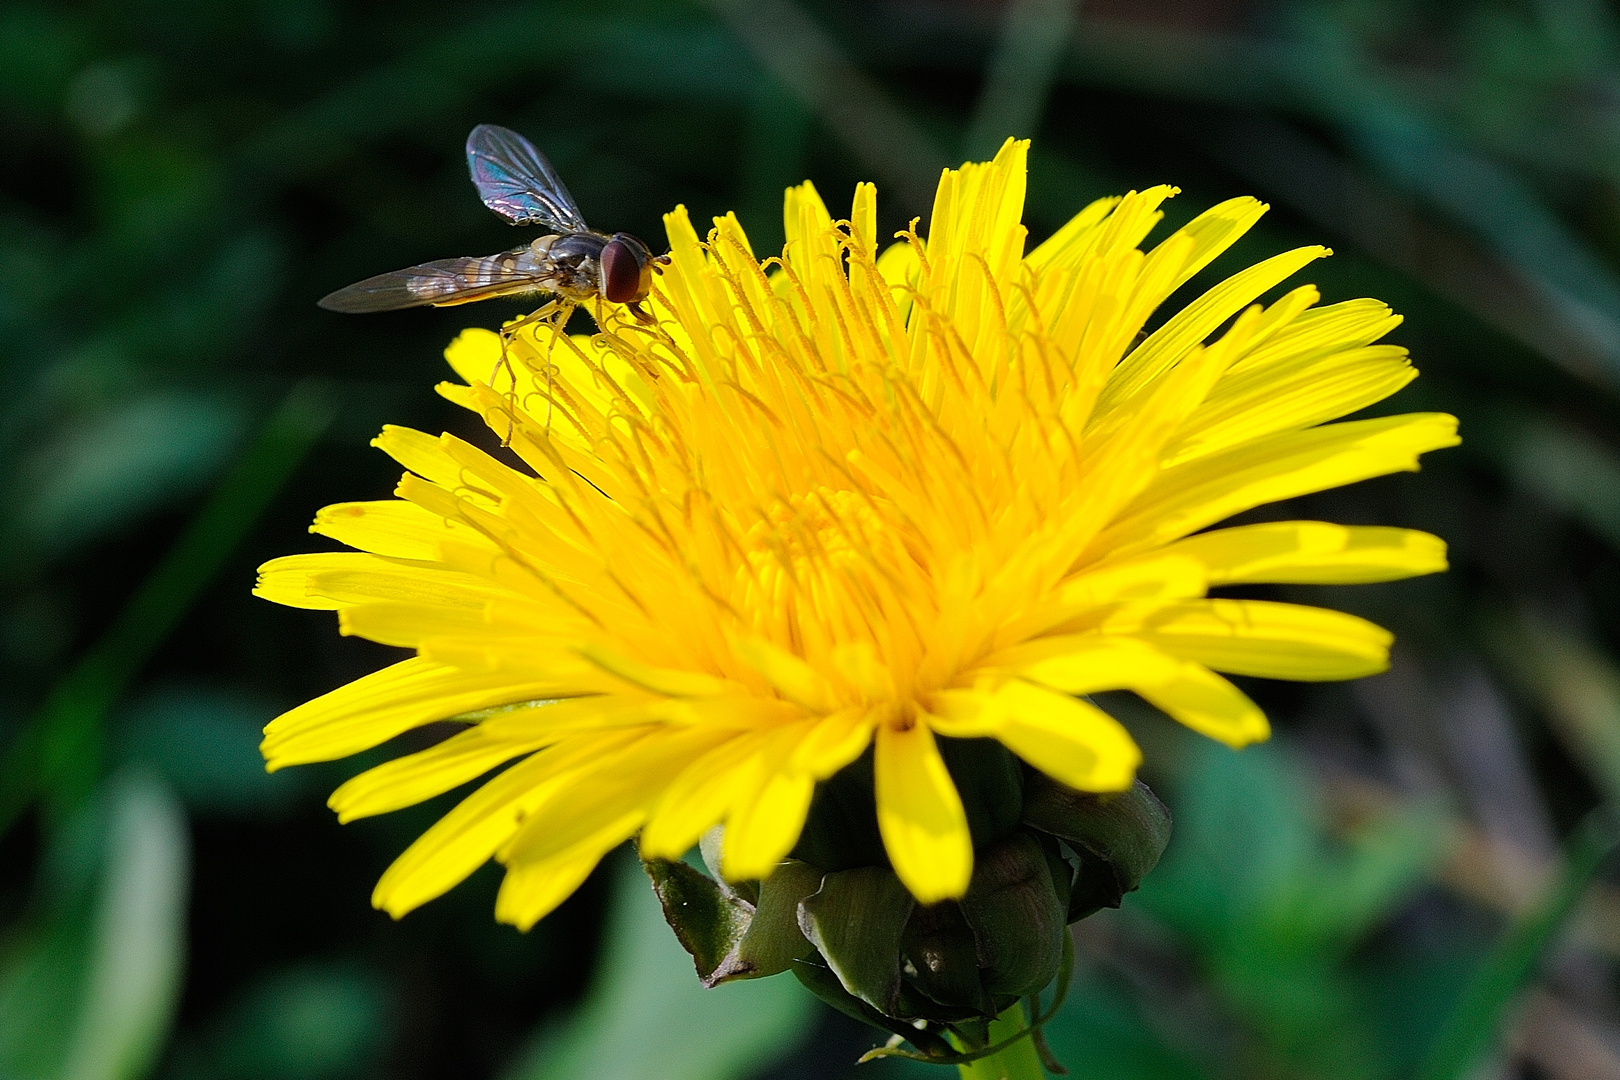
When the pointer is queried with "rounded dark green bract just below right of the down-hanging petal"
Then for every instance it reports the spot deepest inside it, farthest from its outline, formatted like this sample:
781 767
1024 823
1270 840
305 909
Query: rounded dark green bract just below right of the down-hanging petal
1017 919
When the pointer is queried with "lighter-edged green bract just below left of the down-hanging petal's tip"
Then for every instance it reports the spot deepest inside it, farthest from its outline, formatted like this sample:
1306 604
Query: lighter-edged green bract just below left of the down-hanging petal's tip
856 922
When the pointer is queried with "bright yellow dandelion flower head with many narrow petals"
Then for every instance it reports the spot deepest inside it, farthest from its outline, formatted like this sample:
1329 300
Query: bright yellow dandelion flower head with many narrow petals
851 500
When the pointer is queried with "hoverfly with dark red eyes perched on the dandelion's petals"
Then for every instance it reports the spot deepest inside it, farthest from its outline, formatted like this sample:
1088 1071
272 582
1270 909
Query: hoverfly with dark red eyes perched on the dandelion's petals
573 263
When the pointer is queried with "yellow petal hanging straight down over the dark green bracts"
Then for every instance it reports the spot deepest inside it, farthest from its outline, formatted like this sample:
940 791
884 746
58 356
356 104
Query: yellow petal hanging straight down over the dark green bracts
921 815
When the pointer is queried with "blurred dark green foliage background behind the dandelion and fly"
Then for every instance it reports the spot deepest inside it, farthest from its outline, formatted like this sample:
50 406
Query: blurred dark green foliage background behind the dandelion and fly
1397 887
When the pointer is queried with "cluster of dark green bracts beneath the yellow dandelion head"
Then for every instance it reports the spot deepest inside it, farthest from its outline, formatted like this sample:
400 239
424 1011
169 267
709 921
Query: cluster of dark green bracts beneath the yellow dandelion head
843 924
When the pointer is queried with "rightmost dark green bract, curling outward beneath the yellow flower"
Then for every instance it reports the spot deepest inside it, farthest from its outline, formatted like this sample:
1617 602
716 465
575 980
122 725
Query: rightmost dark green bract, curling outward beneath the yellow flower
1119 836
